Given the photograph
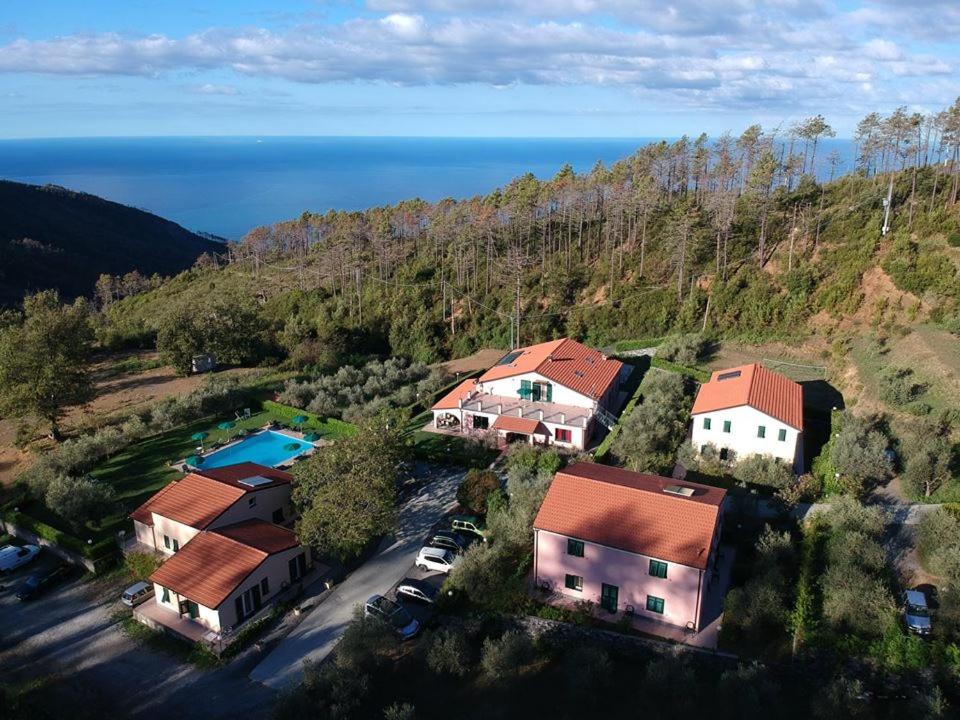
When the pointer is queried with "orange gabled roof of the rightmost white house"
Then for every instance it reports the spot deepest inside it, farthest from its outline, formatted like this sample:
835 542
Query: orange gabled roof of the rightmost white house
753 385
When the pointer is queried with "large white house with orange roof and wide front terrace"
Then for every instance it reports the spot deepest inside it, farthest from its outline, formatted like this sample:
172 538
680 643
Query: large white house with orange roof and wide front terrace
552 393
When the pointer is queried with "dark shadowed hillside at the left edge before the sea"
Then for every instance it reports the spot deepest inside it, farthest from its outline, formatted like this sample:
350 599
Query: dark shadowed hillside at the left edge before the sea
51 237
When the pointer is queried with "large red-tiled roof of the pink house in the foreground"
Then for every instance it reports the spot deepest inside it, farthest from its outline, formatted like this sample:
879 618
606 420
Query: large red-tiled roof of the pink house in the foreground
633 512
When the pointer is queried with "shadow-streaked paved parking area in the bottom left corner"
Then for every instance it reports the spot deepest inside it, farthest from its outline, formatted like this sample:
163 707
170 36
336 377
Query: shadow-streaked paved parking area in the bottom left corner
71 632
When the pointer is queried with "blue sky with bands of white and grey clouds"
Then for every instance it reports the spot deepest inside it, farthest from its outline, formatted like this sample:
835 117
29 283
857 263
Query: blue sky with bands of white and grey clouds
485 68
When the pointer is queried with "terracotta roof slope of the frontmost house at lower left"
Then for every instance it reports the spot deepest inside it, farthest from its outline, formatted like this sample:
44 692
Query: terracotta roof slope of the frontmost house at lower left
208 568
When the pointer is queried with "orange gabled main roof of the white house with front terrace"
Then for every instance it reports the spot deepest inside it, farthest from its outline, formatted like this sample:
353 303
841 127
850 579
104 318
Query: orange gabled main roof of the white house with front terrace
566 362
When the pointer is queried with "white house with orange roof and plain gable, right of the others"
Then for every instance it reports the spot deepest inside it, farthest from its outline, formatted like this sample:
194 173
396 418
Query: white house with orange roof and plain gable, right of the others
750 410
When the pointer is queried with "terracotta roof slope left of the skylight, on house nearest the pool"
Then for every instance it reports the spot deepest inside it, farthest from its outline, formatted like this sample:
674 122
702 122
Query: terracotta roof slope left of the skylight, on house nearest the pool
195 501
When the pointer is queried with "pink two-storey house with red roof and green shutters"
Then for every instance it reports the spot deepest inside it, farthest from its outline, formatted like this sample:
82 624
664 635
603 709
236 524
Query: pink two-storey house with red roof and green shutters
629 542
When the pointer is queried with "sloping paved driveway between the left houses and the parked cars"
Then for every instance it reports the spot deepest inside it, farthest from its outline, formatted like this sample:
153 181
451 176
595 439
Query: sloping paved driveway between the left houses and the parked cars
316 635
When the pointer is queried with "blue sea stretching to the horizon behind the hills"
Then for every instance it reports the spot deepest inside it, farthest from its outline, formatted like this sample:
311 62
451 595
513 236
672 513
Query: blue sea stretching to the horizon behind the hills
226 186
